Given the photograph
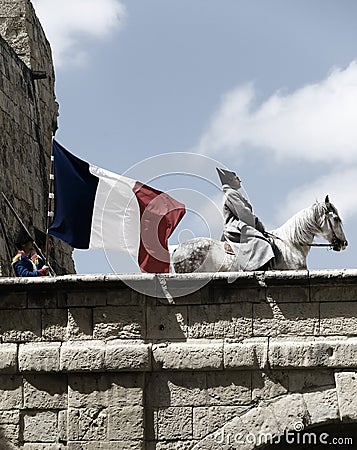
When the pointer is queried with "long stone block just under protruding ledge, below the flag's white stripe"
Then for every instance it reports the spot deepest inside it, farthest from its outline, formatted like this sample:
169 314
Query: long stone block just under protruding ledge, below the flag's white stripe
105 390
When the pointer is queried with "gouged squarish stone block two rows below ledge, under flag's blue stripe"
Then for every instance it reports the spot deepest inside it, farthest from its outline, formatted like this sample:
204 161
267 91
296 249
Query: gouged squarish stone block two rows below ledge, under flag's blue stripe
87 424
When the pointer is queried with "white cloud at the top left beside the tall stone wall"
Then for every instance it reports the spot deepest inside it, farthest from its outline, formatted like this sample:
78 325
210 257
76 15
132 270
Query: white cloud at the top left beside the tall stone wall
69 23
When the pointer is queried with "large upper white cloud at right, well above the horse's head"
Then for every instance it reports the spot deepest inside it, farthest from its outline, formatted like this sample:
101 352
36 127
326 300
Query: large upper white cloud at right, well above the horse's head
315 123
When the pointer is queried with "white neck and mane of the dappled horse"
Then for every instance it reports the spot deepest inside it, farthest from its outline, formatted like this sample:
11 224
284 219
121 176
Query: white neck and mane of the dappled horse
302 226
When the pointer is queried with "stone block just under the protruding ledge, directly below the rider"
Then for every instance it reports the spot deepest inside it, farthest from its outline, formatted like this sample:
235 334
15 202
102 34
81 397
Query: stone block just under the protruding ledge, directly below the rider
231 388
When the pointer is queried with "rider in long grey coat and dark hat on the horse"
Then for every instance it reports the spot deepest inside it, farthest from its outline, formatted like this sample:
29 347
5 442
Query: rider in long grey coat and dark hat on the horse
244 232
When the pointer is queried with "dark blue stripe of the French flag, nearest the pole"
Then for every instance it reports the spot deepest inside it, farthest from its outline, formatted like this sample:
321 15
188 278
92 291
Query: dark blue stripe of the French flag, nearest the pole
75 189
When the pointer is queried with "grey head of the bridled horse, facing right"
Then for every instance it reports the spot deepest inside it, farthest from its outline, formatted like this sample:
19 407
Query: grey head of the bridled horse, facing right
331 226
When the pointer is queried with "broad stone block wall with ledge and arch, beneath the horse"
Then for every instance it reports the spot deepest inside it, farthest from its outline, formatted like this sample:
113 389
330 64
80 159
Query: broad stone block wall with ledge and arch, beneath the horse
94 363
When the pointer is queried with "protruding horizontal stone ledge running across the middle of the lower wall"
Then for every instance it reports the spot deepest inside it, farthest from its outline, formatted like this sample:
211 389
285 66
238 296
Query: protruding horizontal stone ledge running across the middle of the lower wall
192 355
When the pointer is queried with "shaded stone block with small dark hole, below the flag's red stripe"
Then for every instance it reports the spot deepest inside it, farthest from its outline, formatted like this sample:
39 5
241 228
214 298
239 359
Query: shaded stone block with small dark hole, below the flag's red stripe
167 322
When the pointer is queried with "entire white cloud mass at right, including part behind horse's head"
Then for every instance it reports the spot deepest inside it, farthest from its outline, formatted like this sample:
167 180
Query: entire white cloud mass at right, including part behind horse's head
316 123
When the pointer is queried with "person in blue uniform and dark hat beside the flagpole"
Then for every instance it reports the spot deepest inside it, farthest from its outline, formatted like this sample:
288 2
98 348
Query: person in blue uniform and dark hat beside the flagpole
22 263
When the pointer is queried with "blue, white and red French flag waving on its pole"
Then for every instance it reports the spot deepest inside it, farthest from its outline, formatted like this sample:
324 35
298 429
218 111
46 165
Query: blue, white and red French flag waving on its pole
99 209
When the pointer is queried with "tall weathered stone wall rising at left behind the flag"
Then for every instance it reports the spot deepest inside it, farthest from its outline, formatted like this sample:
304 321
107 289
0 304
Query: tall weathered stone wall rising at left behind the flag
28 117
